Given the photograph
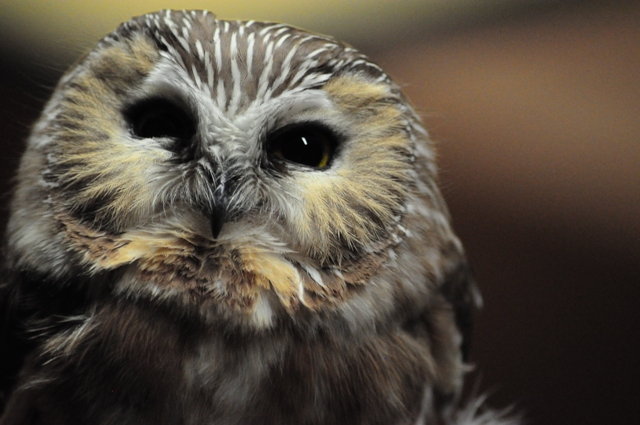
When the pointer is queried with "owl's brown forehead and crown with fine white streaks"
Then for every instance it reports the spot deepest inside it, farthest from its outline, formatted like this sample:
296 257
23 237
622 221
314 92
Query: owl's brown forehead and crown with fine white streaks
238 63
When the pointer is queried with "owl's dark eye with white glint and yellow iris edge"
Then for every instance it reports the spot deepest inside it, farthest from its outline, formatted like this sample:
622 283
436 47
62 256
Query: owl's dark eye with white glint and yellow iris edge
309 144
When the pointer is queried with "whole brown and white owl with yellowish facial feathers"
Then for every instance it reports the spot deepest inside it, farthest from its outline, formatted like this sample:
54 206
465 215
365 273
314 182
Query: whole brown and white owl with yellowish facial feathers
230 222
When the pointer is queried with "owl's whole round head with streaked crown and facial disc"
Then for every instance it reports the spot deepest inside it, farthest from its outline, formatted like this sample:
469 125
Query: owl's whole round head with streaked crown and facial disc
239 170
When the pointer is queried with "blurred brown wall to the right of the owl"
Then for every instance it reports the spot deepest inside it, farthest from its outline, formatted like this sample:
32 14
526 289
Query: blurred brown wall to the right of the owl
538 123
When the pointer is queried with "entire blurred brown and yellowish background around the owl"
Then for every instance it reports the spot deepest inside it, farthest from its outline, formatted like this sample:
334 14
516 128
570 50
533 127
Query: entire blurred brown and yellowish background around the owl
535 106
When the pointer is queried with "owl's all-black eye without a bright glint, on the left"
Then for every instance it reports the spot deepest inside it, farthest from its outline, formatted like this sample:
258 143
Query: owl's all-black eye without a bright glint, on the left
155 118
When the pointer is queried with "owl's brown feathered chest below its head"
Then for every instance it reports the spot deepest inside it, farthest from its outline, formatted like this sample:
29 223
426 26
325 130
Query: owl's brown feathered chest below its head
154 371
